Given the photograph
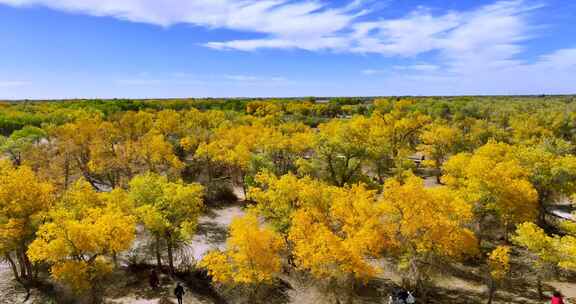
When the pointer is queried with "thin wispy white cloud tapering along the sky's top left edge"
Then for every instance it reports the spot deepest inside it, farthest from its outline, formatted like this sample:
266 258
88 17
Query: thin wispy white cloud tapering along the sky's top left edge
286 18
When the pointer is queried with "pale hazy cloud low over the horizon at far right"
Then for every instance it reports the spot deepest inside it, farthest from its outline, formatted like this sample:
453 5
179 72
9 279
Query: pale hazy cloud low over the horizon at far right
551 73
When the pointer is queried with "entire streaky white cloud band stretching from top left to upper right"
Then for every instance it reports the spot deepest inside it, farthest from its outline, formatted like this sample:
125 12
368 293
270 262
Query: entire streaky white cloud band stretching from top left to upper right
491 31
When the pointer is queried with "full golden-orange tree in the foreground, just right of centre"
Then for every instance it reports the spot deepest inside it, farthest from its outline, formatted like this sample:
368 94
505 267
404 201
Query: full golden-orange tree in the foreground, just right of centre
425 225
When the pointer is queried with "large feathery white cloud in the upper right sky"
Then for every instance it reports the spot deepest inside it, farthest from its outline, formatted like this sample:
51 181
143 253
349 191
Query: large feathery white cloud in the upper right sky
492 32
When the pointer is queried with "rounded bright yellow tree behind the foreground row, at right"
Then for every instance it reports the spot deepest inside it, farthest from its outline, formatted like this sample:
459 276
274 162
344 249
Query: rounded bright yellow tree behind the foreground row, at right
495 182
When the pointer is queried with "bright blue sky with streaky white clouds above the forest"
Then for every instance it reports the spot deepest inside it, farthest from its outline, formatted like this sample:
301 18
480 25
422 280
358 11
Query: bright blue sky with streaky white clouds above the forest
231 48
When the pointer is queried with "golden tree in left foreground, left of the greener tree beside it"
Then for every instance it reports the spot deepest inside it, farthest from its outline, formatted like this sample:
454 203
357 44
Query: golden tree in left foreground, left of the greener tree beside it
83 233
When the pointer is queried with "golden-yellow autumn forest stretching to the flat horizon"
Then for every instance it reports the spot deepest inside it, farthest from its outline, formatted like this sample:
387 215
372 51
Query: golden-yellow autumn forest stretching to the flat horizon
340 200
